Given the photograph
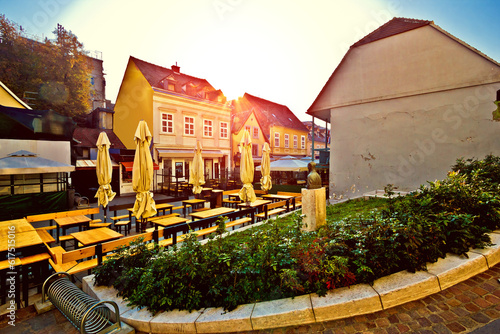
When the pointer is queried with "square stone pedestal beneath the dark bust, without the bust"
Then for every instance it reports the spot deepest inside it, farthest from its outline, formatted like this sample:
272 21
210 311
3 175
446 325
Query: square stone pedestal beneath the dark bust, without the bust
314 208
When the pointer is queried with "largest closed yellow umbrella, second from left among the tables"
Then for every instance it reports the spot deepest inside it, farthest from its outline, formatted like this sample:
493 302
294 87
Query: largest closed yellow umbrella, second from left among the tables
142 174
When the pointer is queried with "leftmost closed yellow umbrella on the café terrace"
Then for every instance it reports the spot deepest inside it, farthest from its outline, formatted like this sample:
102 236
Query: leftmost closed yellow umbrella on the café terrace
104 172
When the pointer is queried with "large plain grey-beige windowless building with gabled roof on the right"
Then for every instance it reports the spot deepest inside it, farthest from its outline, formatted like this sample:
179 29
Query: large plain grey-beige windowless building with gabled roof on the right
404 103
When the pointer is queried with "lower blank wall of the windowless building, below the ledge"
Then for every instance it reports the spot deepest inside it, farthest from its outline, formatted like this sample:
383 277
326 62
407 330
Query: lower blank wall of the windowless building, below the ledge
409 141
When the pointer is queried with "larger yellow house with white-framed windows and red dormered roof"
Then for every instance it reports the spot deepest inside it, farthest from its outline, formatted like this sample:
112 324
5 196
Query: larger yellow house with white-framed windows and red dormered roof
180 110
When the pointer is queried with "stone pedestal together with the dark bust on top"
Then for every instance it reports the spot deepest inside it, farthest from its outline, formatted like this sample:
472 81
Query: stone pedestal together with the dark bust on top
313 200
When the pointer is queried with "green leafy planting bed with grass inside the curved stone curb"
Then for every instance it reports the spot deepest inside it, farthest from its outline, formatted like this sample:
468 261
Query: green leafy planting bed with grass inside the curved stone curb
362 241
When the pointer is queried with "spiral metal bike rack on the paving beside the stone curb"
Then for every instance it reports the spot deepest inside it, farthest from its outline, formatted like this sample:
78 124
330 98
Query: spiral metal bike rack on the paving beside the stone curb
87 314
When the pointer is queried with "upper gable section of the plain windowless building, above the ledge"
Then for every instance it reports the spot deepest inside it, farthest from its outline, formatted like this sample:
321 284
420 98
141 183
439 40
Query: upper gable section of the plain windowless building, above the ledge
419 61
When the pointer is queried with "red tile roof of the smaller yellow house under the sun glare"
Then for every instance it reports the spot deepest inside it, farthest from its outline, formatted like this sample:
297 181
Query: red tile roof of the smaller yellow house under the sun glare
267 113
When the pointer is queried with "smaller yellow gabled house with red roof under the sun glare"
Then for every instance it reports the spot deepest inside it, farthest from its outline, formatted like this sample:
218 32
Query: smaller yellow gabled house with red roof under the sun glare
268 122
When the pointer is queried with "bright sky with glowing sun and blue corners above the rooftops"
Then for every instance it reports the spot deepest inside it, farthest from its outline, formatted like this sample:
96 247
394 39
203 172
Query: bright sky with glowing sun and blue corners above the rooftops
280 50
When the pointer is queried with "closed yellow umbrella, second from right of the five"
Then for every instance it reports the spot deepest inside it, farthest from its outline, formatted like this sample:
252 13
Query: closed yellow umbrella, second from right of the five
247 194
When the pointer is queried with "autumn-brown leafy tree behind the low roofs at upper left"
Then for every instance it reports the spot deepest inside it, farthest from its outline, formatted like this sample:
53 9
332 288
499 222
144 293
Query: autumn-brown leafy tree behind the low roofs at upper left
57 73
